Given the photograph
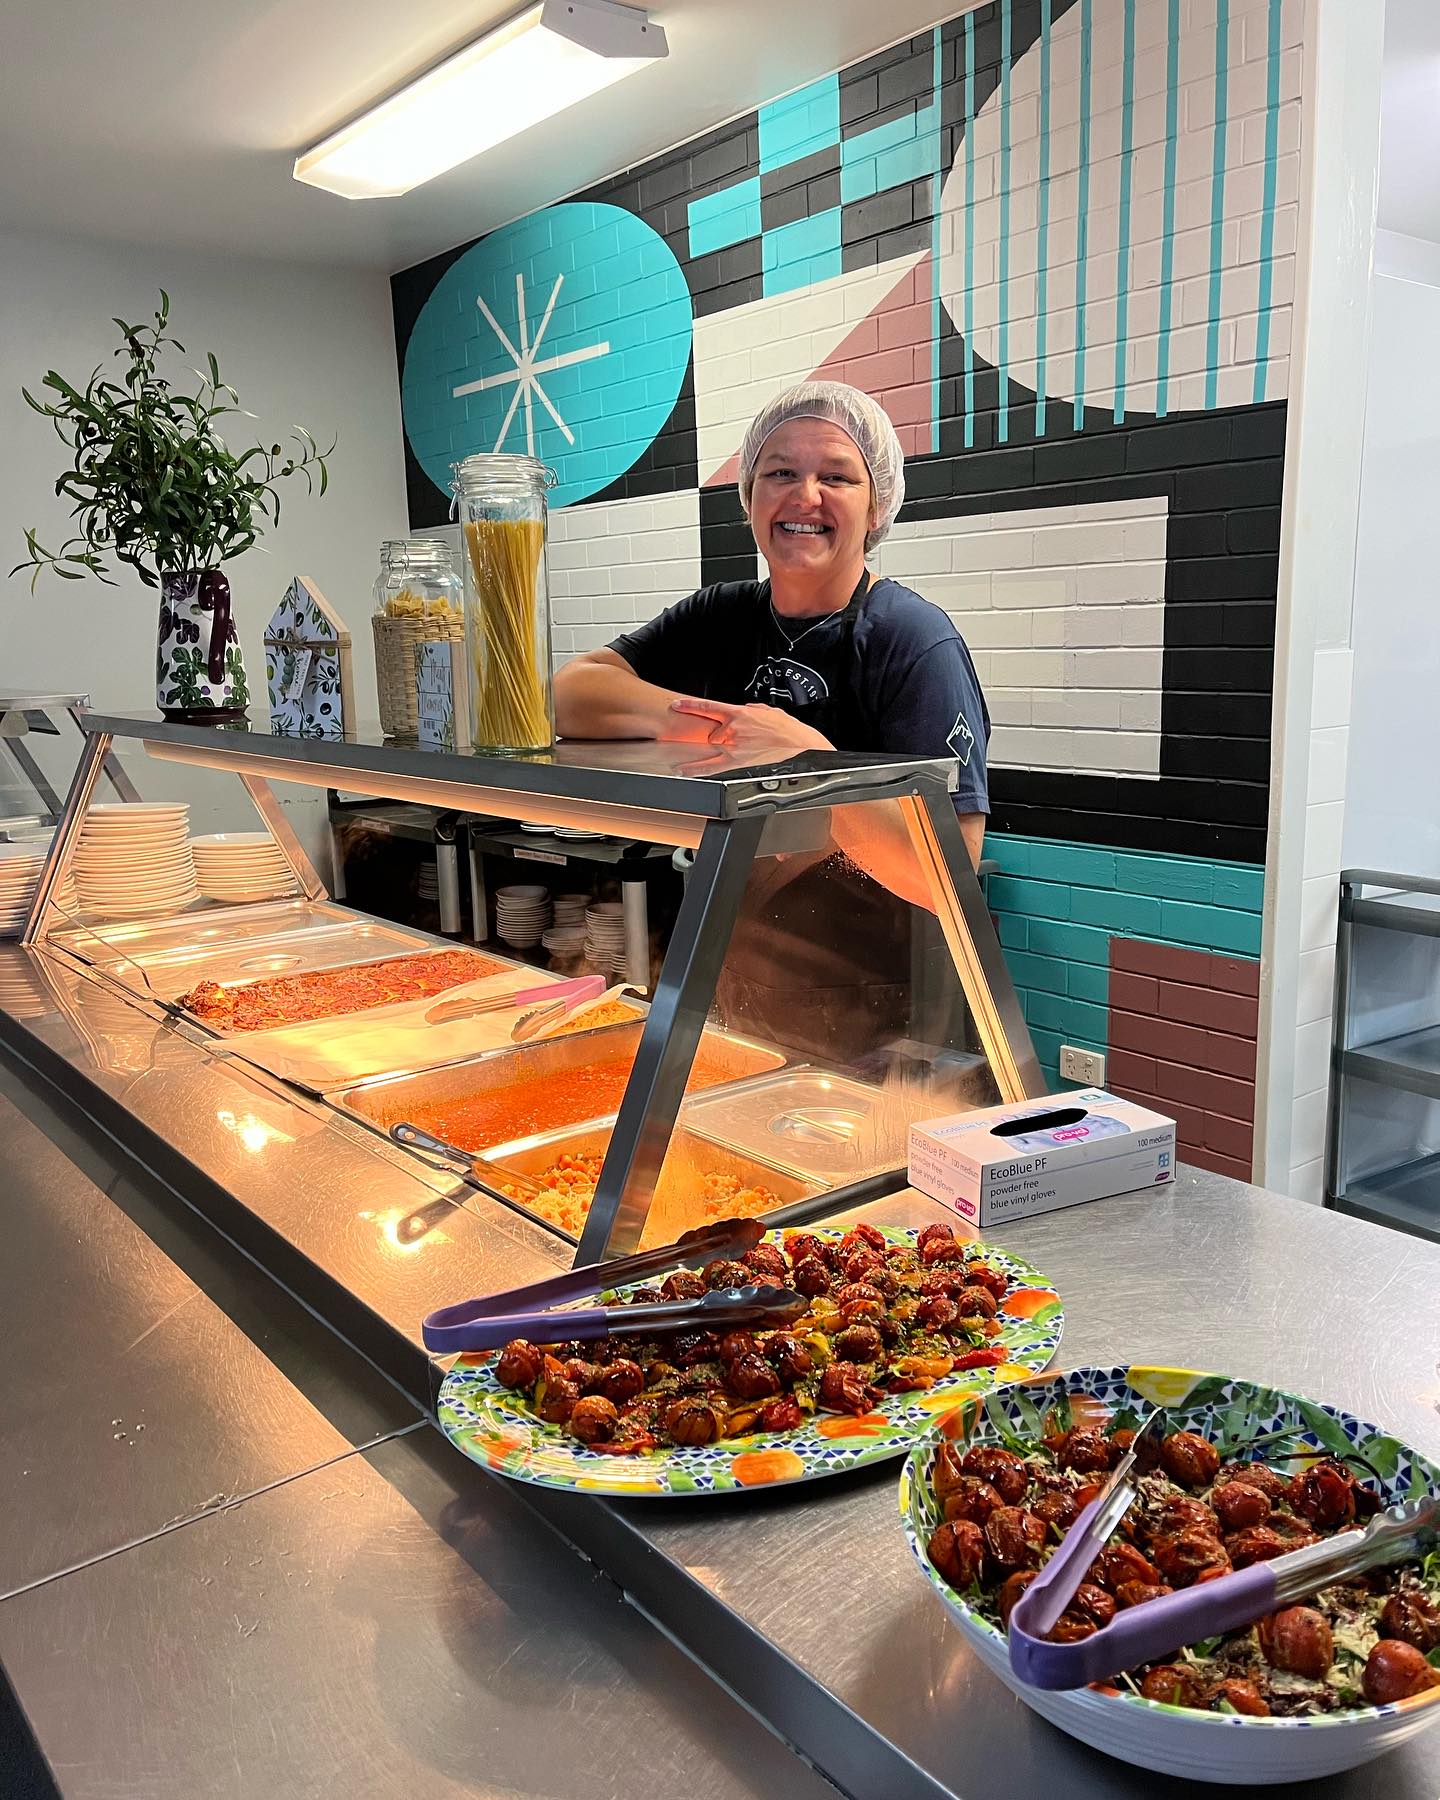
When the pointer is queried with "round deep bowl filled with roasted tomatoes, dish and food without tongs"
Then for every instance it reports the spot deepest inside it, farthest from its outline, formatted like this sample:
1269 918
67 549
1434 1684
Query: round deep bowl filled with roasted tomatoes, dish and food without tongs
1236 1475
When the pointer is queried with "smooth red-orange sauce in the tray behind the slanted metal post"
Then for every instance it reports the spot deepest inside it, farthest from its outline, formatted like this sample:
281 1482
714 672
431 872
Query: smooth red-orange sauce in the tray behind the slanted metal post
544 1102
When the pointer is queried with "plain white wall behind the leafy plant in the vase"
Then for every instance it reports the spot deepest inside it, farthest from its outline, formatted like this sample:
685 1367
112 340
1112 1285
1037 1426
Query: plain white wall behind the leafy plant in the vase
303 346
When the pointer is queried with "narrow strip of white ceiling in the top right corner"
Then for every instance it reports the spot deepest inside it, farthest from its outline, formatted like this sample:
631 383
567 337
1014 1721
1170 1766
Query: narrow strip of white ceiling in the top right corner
1410 120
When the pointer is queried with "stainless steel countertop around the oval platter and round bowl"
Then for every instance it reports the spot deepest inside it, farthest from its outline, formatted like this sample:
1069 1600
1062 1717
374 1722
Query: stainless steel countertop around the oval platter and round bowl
809 1603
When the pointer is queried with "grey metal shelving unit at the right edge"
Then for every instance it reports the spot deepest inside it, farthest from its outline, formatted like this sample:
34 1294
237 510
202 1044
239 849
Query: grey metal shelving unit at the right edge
1383 1151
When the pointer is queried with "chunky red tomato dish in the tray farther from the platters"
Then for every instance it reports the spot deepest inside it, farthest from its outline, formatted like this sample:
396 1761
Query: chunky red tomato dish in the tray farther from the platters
325 993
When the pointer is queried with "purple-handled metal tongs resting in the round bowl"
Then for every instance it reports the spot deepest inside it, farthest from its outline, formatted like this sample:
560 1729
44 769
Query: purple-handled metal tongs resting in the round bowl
1158 1628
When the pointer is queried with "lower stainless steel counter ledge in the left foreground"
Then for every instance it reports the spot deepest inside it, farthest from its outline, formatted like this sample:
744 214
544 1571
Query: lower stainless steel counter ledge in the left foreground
208 1588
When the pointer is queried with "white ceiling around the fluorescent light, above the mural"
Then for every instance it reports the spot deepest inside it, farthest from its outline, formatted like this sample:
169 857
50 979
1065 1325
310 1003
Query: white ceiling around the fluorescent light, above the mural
175 121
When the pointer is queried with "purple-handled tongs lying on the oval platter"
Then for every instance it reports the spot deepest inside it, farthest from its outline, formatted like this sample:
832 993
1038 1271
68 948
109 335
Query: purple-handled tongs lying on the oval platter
543 1318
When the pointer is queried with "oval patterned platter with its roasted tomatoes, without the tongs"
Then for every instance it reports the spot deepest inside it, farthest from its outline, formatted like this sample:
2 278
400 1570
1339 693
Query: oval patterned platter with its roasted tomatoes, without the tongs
901 1326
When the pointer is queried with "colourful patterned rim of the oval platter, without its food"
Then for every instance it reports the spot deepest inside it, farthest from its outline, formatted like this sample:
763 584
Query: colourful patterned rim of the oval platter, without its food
492 1426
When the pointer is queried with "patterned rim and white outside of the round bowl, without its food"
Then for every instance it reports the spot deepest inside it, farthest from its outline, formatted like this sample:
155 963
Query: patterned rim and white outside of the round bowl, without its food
1218 1747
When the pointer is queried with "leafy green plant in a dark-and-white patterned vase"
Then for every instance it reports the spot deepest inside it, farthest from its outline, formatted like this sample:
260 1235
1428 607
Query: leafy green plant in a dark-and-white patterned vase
157 489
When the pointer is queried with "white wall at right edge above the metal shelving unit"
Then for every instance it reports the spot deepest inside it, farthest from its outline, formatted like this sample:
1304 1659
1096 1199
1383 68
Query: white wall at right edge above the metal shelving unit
1392 818
